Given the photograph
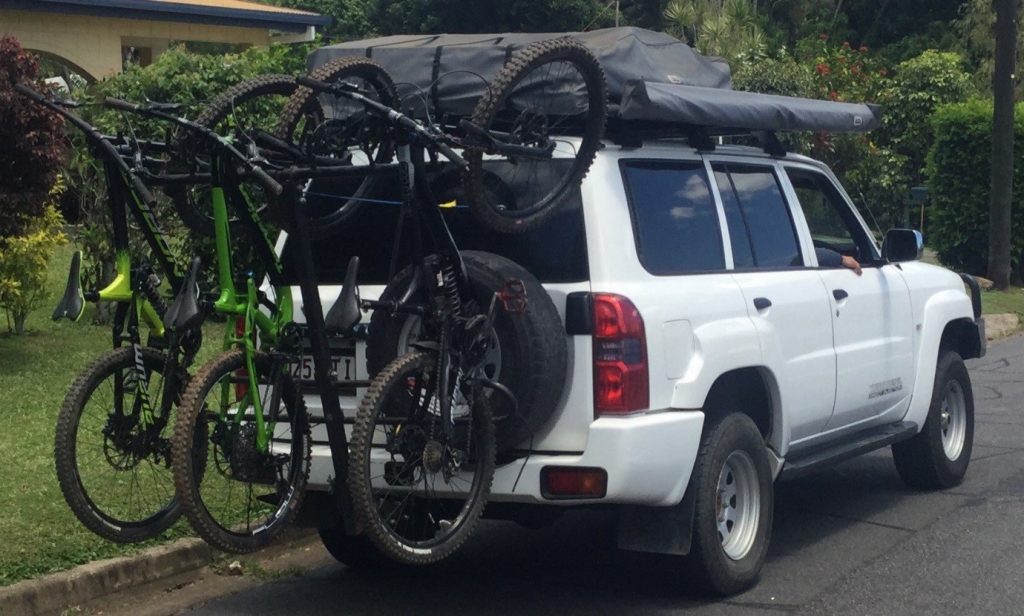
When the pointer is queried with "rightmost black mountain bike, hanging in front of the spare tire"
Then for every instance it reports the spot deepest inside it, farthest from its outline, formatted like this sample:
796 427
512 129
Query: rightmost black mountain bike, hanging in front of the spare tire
422 455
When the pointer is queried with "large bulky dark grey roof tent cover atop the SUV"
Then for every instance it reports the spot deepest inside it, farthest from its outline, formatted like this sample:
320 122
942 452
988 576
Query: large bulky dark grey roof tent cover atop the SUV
451 71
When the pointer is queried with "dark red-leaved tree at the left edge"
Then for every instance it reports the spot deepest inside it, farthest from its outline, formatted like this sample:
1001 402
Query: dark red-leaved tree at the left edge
31 143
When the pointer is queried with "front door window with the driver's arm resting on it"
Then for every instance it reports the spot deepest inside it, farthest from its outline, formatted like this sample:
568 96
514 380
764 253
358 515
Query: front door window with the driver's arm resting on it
832 224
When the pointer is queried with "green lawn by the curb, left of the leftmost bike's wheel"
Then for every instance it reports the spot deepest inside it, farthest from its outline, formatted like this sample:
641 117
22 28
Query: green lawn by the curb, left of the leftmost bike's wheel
40 535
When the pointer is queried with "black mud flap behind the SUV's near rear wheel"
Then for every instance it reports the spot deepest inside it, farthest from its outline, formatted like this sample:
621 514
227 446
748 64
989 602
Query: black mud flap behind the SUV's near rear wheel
658 530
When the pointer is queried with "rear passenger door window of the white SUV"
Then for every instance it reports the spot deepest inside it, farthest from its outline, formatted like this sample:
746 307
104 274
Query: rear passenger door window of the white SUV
760 226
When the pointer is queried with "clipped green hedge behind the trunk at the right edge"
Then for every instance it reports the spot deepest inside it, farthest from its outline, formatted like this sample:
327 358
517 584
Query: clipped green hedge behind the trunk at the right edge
959 180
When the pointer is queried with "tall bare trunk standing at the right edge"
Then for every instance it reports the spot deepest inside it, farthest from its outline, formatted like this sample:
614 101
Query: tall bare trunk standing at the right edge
1003 144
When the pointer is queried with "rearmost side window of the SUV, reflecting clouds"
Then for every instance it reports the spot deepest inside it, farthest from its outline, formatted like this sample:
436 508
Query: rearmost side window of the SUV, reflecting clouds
674 217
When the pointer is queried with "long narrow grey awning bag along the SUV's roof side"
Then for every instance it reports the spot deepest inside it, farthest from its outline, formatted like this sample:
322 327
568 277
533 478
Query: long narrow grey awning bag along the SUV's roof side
743 111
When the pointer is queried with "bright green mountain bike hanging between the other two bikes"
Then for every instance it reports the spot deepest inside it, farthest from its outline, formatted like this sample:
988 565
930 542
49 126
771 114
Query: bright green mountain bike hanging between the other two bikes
241 445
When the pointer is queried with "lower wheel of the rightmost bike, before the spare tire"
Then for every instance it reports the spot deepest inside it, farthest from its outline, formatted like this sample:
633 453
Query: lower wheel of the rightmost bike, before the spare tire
418 497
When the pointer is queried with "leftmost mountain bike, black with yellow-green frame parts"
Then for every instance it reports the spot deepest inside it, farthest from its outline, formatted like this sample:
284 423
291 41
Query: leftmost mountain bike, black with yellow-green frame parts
112 449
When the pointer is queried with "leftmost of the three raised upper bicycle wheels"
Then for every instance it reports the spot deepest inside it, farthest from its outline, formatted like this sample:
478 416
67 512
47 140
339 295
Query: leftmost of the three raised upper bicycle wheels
242 110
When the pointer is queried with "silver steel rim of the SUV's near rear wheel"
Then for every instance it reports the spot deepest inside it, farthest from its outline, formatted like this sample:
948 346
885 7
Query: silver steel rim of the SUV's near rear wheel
738 505
